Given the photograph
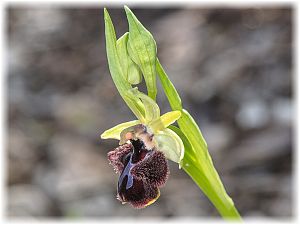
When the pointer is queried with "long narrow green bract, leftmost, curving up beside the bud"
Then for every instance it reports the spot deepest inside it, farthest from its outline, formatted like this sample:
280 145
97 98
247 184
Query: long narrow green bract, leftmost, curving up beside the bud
115 68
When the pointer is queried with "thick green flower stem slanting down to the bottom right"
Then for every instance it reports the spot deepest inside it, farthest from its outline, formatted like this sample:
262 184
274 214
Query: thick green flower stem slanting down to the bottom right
197 161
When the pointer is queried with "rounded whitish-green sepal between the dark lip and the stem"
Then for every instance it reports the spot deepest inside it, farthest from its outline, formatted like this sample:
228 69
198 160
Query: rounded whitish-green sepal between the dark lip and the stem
170 144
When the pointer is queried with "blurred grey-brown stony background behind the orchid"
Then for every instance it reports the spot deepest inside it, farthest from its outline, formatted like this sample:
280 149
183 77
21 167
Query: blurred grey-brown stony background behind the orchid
232 68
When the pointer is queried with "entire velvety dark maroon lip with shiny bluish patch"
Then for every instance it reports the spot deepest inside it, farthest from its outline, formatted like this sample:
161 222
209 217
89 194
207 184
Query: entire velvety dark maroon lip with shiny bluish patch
142 172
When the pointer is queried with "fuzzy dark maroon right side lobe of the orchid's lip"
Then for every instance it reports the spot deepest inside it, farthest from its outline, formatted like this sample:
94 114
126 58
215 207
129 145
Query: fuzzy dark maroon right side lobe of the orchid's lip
154 169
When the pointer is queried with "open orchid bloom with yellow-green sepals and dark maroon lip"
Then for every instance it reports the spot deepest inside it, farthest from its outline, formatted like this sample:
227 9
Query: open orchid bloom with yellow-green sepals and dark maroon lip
141 157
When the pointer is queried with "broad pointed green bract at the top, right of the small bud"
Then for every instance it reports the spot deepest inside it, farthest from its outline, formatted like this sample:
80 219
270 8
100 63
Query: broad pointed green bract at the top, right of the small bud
142 49
